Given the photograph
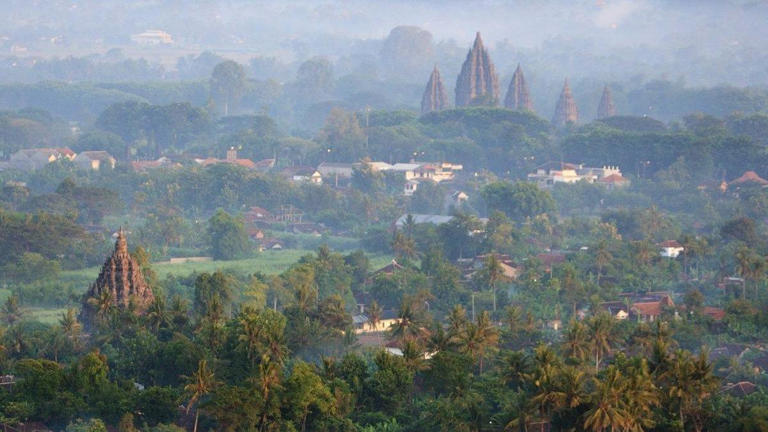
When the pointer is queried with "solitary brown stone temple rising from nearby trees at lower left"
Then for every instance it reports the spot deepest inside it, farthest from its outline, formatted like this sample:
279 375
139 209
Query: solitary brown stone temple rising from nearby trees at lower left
121 277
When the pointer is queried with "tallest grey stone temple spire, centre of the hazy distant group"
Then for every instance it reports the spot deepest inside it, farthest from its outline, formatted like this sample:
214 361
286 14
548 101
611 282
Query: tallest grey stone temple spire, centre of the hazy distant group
477 83
